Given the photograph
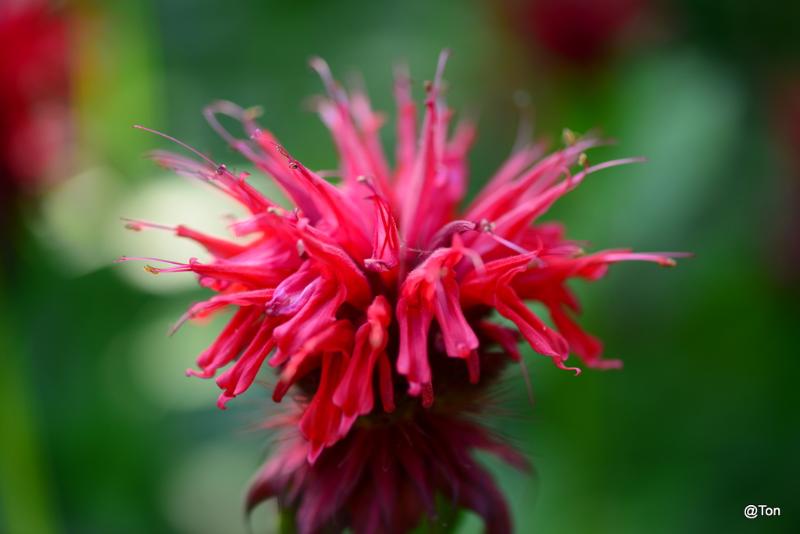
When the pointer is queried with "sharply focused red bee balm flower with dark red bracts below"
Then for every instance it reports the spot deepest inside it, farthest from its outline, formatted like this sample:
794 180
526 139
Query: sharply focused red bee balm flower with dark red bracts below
375 300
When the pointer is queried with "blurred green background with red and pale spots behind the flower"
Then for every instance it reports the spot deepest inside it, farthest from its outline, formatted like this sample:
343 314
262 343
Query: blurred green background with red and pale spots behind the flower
100 431
